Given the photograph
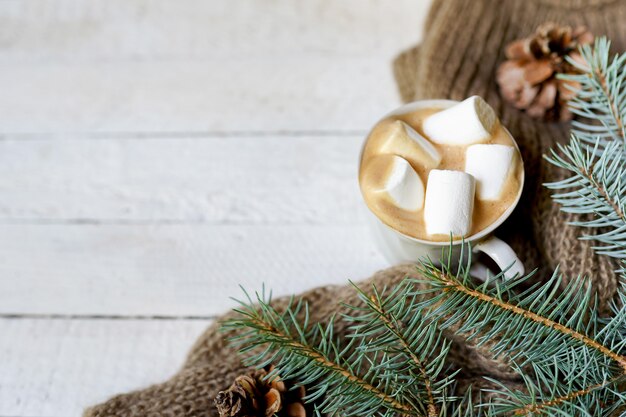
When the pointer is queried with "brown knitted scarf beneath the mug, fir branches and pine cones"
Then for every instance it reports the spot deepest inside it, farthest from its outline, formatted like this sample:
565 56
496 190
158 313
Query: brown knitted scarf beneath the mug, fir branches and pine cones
462 47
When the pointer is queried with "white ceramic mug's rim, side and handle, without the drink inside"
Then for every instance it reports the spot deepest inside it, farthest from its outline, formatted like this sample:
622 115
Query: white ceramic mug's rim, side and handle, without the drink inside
398 248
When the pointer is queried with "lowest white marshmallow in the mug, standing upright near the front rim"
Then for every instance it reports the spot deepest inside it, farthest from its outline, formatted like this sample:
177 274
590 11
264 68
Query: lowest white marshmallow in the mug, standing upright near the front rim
449 203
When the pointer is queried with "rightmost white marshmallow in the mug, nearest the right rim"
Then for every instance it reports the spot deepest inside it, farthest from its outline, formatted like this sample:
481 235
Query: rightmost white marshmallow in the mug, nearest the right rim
490 166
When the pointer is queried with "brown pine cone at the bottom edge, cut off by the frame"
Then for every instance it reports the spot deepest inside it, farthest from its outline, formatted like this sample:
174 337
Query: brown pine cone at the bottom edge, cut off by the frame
252 395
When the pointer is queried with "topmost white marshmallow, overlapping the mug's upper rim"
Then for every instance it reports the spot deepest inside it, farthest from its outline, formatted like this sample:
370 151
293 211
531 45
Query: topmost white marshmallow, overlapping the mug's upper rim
467 122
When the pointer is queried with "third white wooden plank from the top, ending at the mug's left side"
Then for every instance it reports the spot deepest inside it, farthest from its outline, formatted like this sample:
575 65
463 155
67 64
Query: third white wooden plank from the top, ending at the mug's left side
243 180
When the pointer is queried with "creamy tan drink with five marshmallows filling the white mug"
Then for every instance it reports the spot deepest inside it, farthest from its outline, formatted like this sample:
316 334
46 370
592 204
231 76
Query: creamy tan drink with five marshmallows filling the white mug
487 181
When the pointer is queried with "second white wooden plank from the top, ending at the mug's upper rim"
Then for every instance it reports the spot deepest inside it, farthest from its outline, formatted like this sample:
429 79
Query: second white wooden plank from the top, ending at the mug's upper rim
295 94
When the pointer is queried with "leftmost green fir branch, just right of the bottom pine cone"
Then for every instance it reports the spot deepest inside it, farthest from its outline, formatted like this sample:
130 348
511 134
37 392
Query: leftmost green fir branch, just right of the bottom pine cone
312 356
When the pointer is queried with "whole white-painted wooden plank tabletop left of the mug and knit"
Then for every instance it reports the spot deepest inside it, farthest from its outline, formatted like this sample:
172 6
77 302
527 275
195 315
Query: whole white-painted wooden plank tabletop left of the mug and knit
156 154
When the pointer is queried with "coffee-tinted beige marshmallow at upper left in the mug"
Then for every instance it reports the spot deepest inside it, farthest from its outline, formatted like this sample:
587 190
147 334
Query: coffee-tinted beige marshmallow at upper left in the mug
404 141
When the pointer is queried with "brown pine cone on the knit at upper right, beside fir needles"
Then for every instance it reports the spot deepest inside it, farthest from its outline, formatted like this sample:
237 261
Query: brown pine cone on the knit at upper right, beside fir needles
528 78
